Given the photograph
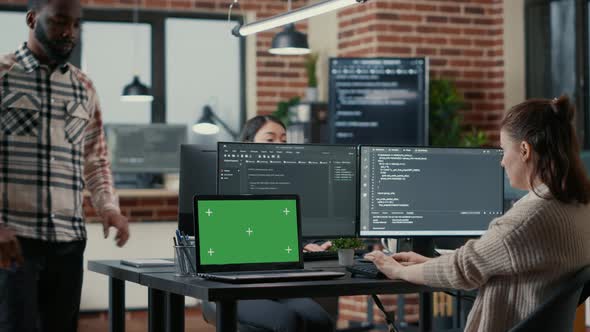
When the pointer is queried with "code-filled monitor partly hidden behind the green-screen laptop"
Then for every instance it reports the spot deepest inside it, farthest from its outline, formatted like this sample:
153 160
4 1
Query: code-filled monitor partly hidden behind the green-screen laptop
324 177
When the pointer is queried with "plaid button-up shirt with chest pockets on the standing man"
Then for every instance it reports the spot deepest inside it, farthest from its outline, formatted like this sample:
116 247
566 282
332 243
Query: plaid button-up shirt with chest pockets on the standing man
52 146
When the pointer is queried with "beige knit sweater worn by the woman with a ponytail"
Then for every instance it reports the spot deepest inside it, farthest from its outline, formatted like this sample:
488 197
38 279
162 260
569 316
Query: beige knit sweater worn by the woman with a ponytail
516 264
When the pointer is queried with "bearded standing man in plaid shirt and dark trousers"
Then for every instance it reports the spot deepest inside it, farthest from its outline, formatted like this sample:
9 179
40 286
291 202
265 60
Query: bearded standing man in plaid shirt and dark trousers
52 146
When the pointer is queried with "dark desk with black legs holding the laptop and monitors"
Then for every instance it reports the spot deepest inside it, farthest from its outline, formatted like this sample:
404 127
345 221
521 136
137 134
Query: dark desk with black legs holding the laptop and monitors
167 291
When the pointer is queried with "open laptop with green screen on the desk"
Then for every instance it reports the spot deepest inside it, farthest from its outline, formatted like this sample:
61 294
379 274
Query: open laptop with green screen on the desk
251 238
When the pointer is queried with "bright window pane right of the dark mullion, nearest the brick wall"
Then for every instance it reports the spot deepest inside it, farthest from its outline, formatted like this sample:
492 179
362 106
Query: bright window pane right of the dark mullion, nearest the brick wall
202 69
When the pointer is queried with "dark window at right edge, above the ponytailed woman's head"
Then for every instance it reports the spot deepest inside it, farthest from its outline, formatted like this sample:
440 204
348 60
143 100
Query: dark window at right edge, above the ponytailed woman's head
557 54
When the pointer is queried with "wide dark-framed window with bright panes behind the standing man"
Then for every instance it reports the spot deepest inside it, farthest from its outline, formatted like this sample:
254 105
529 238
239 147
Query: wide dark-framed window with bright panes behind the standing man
188 59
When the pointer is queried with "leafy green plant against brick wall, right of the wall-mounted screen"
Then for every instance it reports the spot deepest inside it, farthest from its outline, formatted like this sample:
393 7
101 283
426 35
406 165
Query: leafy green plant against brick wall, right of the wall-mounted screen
446 123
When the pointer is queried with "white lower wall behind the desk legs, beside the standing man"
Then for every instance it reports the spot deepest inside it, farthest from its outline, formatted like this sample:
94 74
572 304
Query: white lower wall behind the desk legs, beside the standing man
148 240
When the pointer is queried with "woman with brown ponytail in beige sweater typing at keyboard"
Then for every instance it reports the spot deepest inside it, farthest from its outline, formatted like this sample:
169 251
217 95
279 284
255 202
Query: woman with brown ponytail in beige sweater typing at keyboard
540 242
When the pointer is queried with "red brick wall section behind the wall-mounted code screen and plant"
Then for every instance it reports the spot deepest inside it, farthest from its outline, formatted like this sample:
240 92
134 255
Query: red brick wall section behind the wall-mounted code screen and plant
463 39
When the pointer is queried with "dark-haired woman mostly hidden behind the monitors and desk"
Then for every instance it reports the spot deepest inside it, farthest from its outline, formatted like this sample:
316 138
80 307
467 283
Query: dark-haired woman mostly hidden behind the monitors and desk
284 315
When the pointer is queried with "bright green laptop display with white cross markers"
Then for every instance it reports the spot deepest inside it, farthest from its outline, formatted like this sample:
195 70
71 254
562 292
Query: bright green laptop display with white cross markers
248 231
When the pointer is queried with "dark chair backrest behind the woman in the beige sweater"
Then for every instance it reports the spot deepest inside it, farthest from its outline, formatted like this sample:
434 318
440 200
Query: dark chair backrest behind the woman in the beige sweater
558 312
